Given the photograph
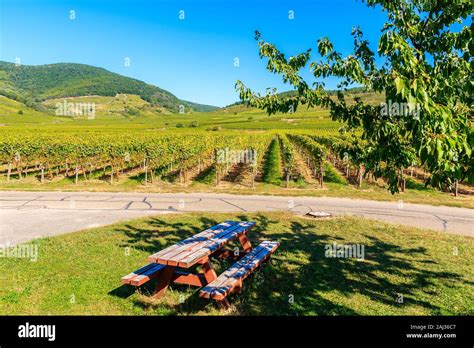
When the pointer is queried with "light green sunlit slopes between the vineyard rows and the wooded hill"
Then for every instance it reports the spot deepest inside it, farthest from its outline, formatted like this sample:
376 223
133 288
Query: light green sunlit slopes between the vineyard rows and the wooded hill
132 111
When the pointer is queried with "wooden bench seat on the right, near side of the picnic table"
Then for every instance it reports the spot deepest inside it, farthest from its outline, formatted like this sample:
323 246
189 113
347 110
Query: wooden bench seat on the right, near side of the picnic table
231 280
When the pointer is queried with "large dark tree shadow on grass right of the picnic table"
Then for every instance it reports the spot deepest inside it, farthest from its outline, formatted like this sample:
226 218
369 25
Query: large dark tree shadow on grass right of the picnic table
307 281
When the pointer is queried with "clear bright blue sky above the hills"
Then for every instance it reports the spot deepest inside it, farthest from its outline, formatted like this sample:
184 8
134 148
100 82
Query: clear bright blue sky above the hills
192 58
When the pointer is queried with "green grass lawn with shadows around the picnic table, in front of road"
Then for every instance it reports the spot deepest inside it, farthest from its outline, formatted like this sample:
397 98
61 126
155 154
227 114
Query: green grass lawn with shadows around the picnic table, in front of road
79 273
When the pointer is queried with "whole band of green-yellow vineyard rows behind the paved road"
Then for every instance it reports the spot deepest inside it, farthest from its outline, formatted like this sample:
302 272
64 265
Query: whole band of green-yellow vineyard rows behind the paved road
278 158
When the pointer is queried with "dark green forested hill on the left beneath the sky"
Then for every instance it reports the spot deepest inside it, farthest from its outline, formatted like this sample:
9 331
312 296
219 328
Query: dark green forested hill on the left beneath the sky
33 84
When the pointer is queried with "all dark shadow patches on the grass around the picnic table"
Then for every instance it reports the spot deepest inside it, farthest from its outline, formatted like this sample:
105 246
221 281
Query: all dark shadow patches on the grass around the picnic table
300 279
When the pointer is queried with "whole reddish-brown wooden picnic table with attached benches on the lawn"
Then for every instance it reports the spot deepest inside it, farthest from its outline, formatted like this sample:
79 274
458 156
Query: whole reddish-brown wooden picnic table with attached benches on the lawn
172 264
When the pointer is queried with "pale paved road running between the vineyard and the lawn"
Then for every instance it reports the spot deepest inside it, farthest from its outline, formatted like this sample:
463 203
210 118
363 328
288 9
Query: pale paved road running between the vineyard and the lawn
28 215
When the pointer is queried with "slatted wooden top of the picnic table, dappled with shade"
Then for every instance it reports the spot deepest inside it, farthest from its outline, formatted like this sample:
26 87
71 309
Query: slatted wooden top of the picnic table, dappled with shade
193 249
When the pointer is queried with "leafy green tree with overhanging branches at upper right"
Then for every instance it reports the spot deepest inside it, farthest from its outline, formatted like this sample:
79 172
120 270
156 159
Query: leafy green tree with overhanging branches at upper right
426 64
